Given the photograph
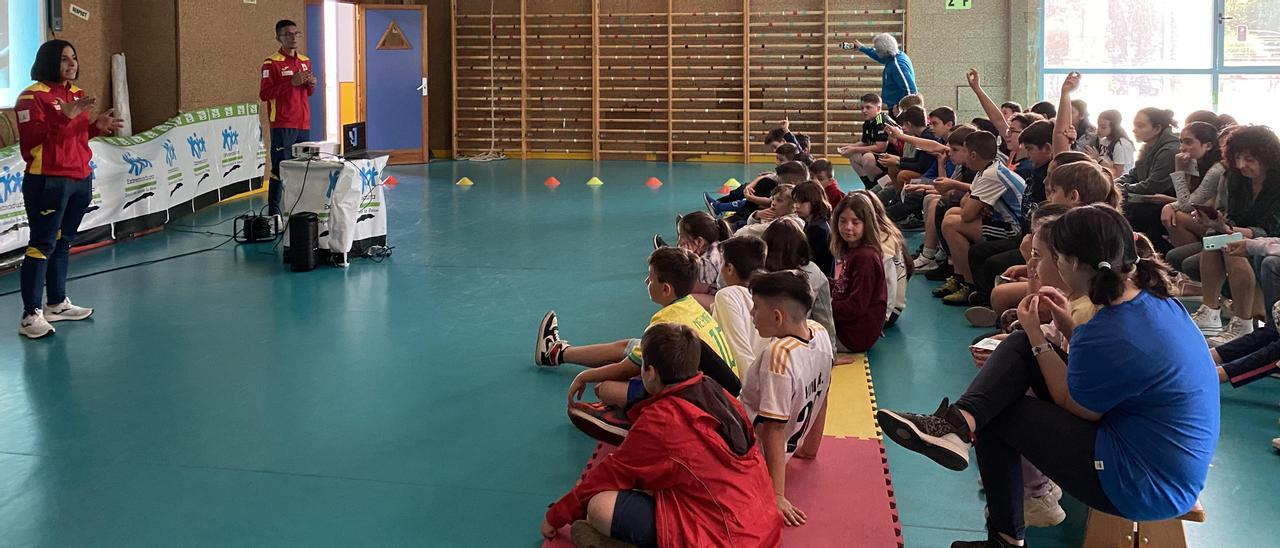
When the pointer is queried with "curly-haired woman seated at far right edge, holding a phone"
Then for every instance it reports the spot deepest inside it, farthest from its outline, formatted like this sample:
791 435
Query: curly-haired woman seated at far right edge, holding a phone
1252 209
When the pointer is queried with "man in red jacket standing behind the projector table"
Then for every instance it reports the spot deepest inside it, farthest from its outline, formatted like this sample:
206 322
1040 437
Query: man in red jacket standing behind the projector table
287 88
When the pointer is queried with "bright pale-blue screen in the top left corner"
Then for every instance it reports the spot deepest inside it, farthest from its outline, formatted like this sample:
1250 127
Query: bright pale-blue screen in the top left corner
21 34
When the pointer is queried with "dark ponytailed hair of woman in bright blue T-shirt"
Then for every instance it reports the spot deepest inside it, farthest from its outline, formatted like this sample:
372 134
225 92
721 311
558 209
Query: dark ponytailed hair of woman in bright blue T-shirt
1100 238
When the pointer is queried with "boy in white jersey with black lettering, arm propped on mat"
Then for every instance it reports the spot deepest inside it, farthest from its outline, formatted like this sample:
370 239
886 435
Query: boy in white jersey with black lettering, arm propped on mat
787 392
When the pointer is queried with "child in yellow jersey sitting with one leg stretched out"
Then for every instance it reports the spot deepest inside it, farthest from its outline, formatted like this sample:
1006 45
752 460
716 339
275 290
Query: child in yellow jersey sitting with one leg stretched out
615 368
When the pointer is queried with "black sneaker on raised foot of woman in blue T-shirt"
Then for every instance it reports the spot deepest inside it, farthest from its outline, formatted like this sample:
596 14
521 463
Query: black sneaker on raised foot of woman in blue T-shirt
943 437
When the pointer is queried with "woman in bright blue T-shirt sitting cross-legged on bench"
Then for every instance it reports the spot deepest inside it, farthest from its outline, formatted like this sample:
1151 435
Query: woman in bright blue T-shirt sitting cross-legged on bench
1127 426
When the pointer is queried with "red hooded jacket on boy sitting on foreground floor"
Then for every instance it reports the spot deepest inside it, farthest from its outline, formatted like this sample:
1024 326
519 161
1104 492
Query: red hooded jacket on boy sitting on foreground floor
694 450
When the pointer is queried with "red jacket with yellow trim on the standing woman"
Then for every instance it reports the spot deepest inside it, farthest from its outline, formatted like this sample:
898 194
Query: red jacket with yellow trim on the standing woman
52 144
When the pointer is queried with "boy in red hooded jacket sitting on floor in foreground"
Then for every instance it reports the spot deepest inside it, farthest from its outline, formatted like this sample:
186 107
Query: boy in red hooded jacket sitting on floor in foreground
689 473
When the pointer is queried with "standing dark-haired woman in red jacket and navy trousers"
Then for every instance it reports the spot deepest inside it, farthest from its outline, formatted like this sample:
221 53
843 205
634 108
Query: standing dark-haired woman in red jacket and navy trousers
54 127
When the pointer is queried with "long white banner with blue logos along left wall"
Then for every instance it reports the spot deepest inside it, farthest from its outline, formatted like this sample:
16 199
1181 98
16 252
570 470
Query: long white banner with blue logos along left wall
148 173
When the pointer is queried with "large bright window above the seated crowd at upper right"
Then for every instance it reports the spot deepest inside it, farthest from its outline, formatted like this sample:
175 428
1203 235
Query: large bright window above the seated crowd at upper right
1222 56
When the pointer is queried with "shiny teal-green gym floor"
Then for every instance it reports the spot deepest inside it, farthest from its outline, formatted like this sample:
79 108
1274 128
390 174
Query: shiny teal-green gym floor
220 399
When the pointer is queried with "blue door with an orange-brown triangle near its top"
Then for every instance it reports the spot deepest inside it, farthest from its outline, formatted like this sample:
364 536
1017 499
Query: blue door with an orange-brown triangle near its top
395 81
